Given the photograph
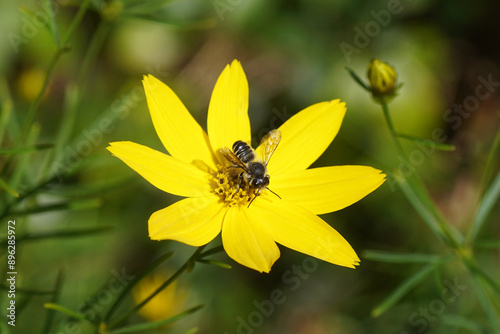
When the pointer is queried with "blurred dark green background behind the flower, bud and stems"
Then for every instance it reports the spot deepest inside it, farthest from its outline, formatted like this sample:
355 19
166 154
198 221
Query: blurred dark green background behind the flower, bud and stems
294 54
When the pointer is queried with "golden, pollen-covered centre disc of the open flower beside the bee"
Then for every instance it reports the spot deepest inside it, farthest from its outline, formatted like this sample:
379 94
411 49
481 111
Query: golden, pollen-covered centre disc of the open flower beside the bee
232 188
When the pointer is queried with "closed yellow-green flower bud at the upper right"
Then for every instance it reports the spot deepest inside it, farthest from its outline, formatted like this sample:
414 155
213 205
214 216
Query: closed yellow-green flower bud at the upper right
382 78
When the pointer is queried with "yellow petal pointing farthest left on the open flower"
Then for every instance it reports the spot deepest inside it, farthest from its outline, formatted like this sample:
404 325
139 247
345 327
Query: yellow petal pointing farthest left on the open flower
163 171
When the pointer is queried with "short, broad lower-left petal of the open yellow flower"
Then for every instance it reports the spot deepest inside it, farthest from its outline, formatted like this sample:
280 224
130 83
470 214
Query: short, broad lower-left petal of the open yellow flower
193 221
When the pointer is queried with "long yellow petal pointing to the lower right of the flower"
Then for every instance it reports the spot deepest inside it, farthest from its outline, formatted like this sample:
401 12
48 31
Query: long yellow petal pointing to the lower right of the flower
299 229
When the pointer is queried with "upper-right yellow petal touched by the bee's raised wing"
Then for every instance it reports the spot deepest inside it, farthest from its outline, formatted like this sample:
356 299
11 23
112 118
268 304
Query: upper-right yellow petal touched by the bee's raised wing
306 135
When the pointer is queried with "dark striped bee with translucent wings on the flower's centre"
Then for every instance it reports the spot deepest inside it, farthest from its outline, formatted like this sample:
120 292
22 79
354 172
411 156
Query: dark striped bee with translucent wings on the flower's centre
254 173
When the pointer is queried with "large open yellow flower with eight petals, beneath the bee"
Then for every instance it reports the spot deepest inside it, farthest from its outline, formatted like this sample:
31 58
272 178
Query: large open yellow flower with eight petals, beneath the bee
215 203
